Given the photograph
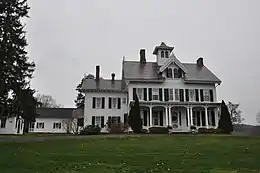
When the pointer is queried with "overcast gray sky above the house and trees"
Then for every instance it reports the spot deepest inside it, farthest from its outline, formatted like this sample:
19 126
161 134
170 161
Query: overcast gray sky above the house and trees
68 38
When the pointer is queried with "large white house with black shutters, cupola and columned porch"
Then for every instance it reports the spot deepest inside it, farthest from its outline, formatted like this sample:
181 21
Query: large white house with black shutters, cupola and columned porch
171 93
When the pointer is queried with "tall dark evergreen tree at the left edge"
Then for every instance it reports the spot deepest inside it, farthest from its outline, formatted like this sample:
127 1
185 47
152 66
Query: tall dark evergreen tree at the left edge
16 95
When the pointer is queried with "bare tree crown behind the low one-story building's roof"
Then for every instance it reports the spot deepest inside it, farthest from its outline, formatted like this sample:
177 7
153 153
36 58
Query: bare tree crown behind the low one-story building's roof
47 101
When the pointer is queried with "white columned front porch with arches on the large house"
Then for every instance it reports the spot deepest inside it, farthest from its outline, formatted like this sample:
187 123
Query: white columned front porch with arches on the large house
179 117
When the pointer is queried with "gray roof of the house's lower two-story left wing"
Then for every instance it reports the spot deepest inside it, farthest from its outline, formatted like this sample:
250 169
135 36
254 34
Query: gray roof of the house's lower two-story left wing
102 85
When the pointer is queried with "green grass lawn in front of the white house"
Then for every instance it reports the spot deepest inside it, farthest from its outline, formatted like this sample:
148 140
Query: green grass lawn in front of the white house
99 154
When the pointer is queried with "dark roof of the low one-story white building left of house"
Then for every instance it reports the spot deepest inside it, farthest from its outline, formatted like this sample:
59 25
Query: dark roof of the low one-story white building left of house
55 112
